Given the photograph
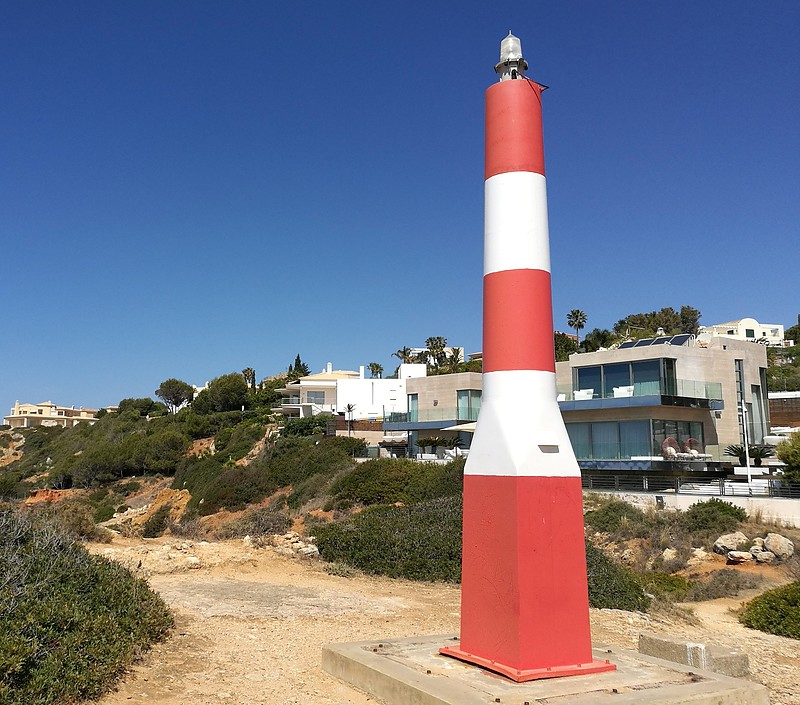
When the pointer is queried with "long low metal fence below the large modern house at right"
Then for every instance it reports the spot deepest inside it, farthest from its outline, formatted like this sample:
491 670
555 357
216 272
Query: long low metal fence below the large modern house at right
715 487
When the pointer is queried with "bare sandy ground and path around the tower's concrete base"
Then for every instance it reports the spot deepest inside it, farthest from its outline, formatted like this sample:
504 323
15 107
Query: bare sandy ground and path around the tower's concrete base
251 624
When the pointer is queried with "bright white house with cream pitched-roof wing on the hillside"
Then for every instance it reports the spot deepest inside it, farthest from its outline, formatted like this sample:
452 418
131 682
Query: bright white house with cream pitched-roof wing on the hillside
348 392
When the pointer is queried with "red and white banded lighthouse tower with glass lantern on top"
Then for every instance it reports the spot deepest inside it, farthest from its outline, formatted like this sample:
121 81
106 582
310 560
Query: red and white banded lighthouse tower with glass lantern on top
524 600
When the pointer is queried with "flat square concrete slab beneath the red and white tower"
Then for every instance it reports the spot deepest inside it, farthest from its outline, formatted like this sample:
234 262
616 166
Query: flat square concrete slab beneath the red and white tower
412 672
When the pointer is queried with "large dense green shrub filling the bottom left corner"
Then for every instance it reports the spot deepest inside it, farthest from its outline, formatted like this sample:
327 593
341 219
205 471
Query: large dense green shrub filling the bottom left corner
70 622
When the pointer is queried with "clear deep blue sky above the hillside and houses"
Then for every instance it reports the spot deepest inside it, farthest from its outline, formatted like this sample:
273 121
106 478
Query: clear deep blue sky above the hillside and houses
191 188
